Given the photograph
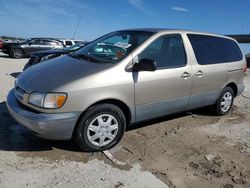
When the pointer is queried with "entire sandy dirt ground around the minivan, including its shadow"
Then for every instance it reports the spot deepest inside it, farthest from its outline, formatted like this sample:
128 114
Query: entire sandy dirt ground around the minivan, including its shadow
193 149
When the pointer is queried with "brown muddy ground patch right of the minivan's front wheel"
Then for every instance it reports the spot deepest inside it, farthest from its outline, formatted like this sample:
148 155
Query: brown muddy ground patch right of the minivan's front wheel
174 149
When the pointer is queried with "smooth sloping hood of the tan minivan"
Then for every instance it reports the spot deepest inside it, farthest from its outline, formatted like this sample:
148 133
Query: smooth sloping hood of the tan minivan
52 74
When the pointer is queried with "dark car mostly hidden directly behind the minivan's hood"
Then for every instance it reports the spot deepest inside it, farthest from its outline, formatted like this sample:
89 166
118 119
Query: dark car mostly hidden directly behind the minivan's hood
41 56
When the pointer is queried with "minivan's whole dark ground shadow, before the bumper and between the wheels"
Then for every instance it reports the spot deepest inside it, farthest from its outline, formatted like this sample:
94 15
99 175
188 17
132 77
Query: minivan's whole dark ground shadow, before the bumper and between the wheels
15 137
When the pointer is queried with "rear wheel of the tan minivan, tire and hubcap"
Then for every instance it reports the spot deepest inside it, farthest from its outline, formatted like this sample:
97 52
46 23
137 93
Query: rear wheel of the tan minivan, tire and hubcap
225 102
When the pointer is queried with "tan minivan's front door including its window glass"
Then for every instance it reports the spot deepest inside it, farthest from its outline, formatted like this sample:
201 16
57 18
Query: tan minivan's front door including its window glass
167 89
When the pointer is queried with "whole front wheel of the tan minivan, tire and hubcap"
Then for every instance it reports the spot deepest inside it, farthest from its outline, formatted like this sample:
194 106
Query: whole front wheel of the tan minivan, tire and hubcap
101 128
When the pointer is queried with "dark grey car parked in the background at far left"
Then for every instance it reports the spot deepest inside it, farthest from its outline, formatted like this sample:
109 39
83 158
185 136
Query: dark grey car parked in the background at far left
25 48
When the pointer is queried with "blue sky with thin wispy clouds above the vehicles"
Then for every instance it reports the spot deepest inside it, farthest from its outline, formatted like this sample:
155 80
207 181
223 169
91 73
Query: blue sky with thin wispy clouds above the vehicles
59 18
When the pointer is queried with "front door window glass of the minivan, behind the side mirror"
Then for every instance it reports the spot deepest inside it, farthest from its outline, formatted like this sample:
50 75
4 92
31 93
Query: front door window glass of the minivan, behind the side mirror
168 52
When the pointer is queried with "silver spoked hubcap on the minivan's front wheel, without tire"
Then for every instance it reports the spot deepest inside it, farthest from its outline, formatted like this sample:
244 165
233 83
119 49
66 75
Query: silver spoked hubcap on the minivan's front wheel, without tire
102 130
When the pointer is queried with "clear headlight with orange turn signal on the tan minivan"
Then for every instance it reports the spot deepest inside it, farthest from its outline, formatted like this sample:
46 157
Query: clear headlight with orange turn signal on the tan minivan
47 100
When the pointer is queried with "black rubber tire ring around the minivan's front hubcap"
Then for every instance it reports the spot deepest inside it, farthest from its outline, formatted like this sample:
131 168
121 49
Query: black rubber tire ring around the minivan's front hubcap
82 129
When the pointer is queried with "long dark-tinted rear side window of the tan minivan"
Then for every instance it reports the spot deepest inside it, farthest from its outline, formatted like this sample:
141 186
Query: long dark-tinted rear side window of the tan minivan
212 50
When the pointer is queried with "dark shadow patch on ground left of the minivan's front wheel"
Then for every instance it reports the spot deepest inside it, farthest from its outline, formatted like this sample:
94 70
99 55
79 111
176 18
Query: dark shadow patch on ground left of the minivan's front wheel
14 137
